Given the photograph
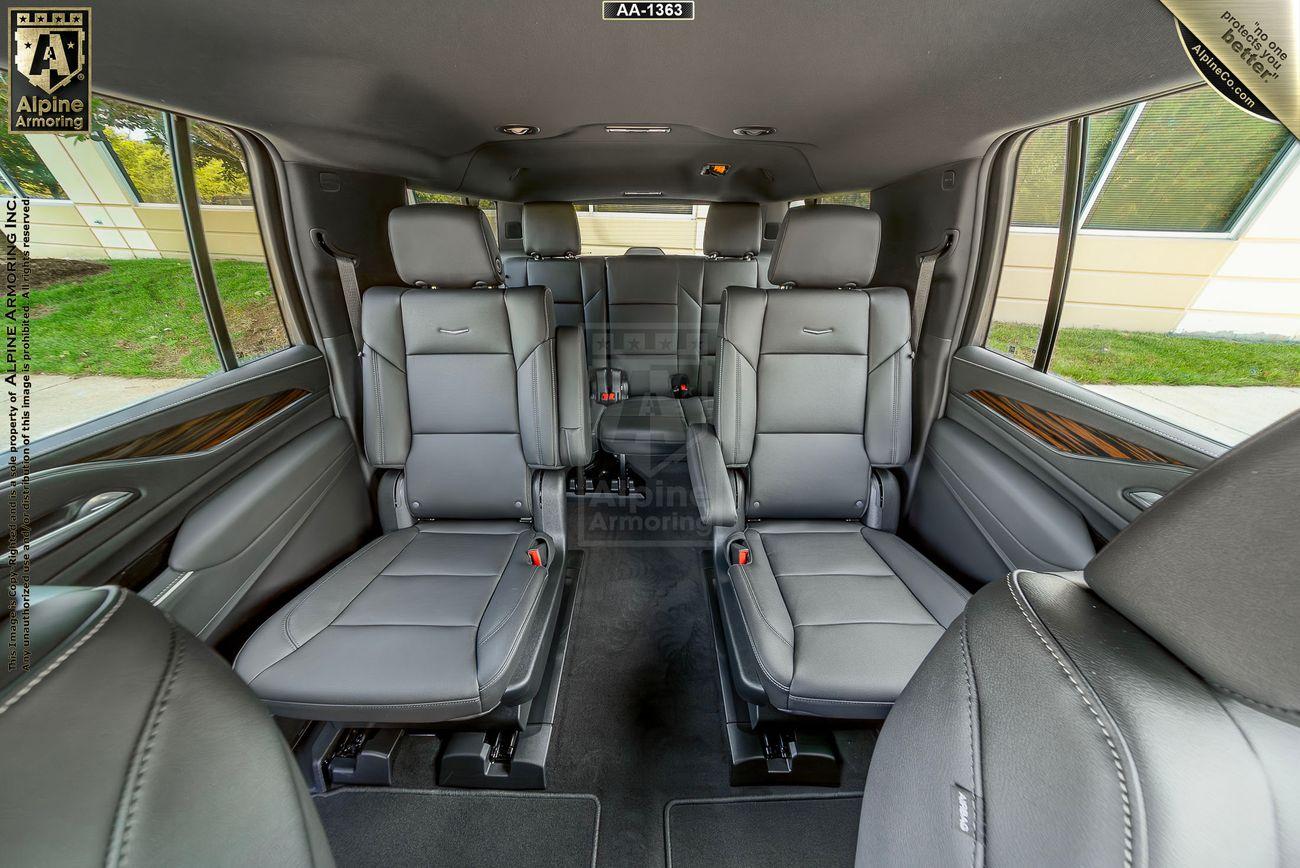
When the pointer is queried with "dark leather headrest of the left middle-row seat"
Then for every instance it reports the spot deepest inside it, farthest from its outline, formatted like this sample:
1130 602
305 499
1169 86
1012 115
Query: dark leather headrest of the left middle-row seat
445 246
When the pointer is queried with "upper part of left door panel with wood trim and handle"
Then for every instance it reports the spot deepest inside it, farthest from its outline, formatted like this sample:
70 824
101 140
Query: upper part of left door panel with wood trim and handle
148 467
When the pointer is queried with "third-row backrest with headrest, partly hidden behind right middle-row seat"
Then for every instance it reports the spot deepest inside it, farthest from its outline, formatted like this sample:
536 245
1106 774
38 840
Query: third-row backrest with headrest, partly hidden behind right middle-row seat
734 235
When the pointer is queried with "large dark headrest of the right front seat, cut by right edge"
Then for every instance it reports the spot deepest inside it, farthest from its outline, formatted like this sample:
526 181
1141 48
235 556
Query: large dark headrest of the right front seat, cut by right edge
1212 574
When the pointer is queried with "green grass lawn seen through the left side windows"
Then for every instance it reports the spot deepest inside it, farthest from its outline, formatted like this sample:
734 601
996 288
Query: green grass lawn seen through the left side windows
144 319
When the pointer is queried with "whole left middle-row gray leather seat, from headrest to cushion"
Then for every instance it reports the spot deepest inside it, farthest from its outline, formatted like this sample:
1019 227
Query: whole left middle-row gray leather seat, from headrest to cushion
462 396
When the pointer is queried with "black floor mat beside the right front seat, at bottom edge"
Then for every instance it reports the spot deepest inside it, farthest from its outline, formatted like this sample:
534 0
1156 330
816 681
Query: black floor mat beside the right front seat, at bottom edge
772 832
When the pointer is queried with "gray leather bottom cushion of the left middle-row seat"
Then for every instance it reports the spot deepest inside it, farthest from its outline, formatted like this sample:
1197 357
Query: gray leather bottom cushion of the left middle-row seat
422 626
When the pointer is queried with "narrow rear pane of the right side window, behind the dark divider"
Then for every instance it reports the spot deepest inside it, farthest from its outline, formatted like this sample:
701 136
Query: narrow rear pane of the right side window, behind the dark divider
1032 240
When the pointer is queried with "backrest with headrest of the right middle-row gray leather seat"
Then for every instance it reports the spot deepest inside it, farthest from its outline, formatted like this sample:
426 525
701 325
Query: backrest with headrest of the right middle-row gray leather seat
814 380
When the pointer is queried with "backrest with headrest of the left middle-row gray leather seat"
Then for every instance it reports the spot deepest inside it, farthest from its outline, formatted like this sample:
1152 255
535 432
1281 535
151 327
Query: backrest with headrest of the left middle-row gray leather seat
458 372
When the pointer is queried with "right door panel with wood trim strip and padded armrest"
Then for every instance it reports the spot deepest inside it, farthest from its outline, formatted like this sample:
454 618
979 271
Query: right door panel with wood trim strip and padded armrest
1043 445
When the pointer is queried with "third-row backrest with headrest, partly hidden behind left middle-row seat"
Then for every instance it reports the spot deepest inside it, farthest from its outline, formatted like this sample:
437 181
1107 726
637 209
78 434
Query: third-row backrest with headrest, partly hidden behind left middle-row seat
552 248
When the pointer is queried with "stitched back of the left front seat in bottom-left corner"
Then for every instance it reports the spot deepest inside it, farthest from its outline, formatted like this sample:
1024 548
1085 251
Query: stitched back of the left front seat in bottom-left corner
131 743
